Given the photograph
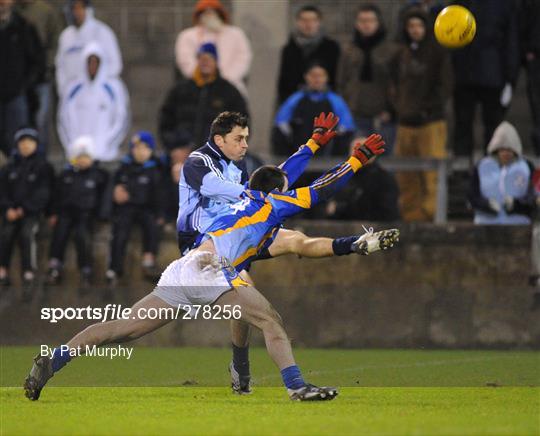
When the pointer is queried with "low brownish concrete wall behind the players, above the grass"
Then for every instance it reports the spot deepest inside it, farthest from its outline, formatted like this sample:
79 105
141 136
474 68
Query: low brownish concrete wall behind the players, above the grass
455 286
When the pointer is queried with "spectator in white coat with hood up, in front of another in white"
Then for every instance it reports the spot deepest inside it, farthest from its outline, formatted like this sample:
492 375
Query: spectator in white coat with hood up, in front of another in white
97 105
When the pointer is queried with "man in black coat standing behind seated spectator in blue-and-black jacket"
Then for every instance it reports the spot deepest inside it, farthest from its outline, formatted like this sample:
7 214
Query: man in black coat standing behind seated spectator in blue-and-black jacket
307 45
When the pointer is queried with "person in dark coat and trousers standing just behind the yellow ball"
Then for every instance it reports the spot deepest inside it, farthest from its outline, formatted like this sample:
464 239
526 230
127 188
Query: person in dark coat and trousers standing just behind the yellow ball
485 71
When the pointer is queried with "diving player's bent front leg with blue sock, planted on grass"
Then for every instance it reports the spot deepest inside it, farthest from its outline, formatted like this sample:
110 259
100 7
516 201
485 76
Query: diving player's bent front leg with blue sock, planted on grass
257 311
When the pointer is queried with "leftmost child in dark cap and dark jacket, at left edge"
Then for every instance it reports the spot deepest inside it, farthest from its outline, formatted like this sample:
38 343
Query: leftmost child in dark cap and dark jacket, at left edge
25 188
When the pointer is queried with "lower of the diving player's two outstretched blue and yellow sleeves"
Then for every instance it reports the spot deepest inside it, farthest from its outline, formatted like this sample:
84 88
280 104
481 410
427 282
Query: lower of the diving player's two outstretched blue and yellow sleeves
295 201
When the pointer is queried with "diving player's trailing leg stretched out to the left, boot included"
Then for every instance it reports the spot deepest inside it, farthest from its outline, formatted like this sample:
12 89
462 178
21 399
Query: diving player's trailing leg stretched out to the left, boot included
101 333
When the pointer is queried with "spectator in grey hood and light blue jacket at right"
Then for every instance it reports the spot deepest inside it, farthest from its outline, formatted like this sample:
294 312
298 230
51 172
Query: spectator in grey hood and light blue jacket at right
502 190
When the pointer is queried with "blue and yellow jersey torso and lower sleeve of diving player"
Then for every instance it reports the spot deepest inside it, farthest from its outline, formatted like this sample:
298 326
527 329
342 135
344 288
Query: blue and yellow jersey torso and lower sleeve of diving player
251 224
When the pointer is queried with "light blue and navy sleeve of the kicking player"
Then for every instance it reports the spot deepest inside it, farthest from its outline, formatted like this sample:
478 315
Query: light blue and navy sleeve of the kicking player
202 175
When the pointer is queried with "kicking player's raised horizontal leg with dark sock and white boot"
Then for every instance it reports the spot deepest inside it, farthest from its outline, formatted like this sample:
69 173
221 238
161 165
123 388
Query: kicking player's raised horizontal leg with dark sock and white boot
295 242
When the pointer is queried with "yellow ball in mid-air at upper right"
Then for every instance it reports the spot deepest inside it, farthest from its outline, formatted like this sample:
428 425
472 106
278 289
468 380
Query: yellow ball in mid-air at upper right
455 27
